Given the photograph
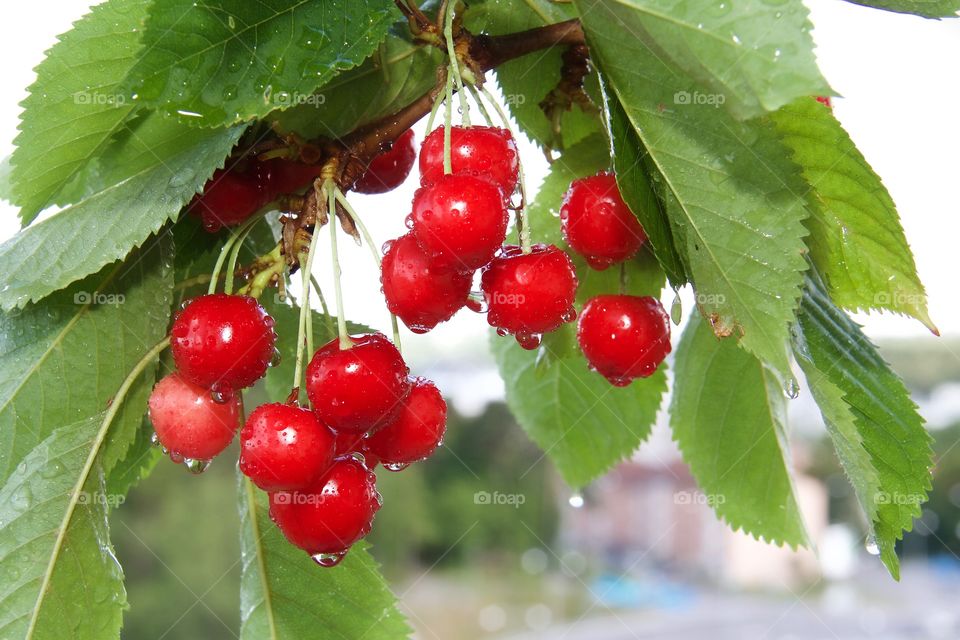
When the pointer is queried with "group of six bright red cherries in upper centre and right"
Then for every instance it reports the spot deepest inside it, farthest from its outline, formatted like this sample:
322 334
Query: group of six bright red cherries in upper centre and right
459 225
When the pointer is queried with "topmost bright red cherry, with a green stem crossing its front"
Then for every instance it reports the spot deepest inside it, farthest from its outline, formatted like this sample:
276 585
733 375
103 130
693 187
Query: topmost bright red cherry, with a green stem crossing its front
485 152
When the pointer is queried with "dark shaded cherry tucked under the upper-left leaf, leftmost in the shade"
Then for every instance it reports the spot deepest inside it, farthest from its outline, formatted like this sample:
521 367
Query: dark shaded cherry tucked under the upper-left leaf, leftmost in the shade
228 199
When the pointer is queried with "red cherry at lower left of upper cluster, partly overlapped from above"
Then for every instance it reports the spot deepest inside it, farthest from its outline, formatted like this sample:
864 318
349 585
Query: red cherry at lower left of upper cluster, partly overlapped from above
418 292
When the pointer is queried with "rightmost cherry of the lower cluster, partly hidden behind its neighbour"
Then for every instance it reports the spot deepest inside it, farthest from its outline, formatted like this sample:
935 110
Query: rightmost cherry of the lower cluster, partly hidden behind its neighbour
416 431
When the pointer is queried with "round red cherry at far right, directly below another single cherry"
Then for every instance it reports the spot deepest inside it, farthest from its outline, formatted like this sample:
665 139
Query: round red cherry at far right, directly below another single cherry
624 337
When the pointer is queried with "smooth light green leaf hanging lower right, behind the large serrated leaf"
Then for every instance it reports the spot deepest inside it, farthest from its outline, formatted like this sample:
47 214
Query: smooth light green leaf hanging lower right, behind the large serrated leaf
728 416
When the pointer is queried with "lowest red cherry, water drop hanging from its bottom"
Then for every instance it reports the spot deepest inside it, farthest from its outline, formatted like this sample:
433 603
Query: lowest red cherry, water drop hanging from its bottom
332 513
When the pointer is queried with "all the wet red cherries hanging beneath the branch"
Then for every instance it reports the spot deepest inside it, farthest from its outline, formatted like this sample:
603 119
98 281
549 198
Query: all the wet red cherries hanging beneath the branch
365 409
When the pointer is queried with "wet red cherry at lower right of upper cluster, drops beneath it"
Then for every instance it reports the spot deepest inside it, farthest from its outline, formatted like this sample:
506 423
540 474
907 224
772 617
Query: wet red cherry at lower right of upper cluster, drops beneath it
529 294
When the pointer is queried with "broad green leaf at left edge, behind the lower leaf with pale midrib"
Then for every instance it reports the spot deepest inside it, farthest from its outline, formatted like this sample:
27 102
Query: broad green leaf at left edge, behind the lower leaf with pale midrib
62 360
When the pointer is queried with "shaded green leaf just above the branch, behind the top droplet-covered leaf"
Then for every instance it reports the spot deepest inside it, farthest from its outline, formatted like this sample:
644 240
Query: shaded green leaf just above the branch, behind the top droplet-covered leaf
398 74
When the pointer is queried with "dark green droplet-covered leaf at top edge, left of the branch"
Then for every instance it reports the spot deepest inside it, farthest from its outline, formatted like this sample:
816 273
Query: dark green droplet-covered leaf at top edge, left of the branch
222 62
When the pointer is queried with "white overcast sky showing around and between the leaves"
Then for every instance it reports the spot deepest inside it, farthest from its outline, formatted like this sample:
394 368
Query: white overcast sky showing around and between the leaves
901 104
